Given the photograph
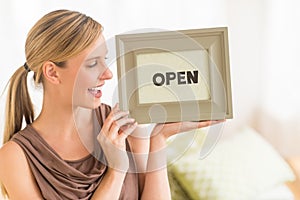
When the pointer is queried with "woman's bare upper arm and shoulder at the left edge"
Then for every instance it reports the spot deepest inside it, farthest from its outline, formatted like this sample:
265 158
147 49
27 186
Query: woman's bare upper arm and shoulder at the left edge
15 174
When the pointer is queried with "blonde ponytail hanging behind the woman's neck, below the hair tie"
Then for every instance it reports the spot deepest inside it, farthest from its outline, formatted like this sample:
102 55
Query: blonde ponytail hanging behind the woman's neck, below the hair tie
18 104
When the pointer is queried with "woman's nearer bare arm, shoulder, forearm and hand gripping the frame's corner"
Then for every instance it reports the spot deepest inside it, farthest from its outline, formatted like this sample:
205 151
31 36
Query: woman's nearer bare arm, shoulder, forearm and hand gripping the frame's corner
16 176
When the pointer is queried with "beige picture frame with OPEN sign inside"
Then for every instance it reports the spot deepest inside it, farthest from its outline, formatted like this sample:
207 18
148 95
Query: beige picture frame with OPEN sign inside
172 76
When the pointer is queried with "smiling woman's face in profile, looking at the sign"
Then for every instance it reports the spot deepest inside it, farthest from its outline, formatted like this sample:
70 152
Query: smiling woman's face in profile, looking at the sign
88 73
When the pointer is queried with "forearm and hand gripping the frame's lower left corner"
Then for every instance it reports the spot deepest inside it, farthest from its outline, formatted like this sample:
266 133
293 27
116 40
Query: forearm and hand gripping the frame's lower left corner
112 137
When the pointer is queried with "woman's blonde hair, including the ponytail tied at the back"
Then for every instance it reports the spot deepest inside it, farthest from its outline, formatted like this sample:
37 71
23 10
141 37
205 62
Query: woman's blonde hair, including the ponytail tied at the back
56 37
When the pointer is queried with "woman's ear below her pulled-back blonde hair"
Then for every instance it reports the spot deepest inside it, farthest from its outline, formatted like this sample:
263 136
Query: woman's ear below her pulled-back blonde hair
50 72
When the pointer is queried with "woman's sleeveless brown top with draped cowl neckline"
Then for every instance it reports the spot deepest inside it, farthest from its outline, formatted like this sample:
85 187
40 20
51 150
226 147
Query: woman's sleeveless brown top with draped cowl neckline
60 179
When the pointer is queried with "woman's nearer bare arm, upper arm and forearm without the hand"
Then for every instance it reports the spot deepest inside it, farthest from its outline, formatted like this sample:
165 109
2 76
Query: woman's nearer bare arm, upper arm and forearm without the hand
19 182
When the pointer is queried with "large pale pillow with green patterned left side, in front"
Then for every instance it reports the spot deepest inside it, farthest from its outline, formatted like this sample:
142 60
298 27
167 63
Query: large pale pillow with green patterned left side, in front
237 168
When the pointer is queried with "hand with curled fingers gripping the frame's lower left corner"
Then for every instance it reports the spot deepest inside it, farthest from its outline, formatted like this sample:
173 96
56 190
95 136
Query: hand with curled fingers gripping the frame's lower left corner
112 137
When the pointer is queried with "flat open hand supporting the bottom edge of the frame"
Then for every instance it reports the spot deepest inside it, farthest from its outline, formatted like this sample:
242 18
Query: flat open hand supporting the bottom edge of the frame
169 129
